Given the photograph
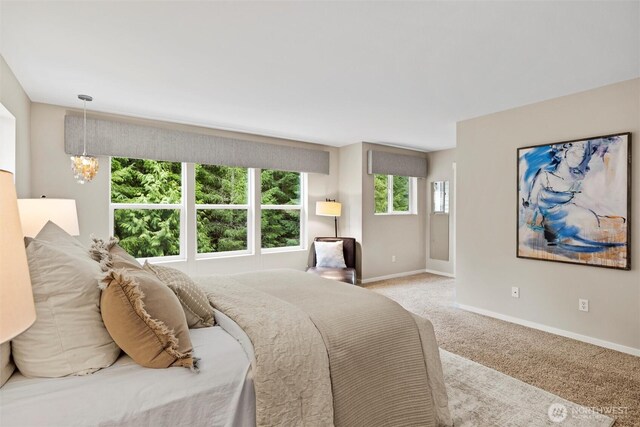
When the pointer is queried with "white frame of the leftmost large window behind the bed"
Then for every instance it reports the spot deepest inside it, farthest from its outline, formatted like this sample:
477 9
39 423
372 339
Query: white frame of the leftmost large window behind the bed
182 256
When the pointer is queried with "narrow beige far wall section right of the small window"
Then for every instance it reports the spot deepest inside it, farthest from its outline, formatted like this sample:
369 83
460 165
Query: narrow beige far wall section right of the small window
441 165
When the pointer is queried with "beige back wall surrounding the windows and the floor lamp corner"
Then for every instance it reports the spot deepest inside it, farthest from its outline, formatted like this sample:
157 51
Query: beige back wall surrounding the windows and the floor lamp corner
348 181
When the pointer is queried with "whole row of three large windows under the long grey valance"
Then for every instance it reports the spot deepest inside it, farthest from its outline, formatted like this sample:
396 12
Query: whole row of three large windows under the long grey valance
150 202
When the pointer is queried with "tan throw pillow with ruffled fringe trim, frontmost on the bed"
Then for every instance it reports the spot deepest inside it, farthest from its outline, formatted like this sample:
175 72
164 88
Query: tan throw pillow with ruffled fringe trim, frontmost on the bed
145 319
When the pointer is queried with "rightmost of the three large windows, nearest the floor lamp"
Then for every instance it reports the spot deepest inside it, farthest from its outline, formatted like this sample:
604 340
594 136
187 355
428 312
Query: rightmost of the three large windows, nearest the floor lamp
281 206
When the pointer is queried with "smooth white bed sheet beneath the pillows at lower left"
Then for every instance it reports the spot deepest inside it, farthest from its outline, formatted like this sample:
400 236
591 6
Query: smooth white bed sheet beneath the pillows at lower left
127 394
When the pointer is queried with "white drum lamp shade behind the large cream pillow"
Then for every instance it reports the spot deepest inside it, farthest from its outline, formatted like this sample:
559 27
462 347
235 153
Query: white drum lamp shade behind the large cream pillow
34 214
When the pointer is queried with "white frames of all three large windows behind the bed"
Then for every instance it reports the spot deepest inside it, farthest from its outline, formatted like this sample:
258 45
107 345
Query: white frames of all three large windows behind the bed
188 217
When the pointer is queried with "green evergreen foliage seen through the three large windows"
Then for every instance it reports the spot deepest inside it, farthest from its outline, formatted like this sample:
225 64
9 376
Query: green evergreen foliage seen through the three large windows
156 232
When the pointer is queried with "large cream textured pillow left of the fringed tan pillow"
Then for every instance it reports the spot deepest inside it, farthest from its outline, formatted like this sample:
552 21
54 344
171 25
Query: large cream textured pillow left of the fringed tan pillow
68 336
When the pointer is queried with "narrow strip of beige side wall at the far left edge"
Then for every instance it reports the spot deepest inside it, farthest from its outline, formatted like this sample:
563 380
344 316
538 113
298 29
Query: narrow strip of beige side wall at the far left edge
14 99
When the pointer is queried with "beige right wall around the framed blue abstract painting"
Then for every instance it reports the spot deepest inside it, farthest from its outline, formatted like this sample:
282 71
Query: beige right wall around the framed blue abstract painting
487 266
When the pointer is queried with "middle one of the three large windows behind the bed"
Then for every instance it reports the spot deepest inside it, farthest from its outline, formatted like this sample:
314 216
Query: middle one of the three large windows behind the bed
222 209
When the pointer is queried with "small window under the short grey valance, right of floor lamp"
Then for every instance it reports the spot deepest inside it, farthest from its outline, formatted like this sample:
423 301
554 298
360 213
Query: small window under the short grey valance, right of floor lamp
394 194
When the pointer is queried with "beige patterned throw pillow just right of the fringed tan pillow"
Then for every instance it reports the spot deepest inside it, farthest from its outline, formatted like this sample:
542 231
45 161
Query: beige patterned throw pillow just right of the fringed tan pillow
193 299
